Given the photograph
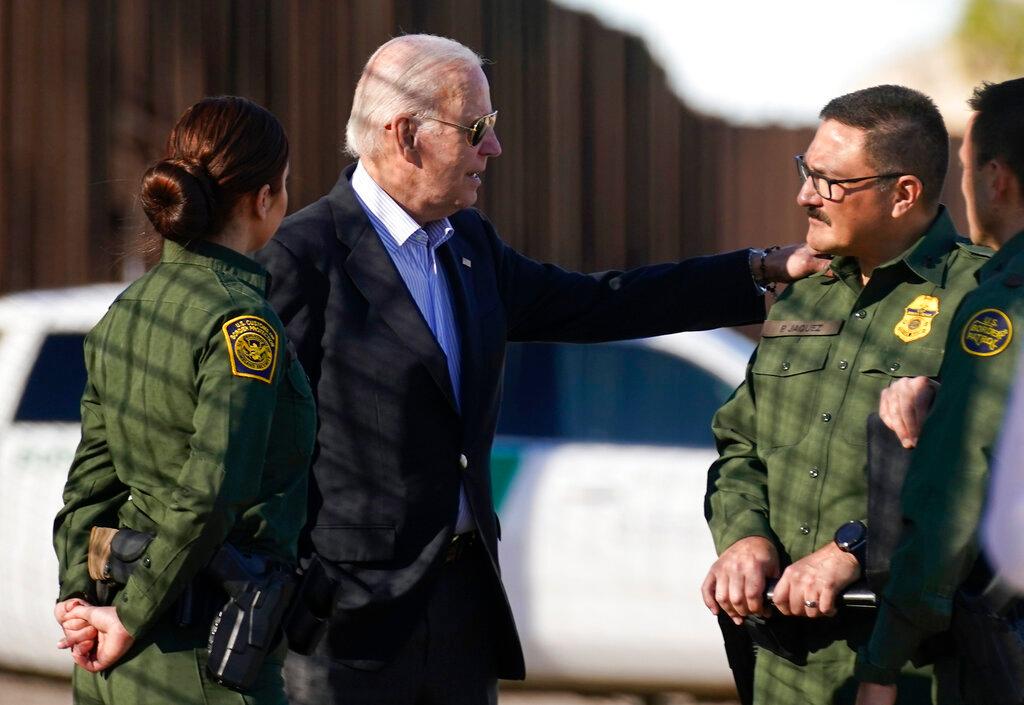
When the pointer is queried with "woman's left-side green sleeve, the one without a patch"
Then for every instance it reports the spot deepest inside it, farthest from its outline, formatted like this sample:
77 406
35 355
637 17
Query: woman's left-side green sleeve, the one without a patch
93 495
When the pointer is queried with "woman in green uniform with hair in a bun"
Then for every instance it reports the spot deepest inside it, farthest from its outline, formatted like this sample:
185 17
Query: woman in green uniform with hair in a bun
197 424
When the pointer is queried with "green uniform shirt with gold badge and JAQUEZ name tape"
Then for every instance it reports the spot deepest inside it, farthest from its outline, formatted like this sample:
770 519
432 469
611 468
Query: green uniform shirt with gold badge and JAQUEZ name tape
793 438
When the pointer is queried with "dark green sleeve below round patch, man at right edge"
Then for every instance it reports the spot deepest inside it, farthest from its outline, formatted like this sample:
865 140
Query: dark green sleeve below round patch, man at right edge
943 501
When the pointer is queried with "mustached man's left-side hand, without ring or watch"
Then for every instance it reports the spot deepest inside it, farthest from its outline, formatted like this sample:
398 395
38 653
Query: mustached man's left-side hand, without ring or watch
737 582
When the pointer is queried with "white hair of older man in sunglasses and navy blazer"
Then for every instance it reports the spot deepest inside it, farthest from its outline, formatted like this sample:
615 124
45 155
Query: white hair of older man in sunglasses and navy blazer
405 75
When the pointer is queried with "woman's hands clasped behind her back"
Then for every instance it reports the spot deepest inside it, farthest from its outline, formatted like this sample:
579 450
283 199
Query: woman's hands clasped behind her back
95 635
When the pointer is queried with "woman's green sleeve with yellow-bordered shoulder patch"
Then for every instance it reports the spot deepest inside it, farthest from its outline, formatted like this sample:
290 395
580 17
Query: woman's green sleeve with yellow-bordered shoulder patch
239 369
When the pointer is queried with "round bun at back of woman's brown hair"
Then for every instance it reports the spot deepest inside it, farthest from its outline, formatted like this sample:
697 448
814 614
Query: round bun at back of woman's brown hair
179 199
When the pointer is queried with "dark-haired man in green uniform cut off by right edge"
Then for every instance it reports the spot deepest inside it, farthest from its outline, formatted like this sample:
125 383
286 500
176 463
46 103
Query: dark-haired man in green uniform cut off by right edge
948 480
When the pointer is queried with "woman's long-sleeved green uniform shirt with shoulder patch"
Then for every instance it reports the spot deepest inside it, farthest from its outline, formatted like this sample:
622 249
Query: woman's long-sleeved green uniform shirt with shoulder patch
198 426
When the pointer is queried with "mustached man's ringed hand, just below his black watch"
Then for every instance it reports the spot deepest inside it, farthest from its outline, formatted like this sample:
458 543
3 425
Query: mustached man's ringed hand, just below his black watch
810 587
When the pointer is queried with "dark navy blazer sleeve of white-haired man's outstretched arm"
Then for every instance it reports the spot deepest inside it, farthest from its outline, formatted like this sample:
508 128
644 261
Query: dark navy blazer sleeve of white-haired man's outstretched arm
546 303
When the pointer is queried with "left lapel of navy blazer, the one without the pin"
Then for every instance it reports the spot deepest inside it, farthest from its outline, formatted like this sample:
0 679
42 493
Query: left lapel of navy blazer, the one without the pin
371 269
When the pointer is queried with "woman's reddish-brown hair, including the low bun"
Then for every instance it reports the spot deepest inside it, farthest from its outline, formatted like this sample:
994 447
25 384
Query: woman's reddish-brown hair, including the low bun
222 149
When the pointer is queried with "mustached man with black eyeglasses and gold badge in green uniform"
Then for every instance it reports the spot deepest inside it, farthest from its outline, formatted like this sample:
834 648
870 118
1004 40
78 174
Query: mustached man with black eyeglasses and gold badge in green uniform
788 497
